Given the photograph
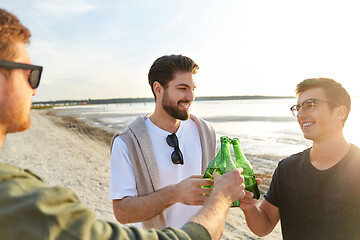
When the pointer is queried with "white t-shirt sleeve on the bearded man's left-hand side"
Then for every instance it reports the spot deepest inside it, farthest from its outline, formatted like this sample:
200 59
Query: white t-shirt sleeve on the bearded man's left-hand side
122 180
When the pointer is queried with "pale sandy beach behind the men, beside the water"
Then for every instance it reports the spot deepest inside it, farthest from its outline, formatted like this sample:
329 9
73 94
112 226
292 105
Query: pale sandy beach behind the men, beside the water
65 151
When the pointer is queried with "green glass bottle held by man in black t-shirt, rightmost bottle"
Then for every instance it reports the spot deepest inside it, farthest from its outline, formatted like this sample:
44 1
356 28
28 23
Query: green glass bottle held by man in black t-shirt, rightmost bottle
248 172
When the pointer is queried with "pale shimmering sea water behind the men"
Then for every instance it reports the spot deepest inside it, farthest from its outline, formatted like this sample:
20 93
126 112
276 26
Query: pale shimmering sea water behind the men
265 127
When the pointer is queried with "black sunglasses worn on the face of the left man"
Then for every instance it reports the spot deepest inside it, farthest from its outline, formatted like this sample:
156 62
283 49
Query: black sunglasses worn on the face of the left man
35 73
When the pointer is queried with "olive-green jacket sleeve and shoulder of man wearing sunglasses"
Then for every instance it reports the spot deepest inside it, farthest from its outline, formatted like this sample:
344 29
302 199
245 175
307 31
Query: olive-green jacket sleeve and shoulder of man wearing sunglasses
29 207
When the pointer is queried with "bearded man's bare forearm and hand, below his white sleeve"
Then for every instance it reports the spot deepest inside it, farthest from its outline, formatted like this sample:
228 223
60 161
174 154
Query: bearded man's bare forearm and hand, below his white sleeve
137 209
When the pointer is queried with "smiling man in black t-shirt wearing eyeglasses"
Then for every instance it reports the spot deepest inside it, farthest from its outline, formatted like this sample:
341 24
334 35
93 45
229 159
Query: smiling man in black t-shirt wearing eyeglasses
315 193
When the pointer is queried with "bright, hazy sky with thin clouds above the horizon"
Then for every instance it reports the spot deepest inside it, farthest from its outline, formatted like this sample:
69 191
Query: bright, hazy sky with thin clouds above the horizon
94 49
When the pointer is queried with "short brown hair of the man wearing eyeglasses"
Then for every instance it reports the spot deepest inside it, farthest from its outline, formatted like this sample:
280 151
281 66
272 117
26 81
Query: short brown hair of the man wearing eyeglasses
334 91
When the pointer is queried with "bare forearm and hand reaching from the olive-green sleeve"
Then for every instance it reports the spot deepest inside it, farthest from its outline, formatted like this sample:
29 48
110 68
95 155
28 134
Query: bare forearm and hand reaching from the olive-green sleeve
227 189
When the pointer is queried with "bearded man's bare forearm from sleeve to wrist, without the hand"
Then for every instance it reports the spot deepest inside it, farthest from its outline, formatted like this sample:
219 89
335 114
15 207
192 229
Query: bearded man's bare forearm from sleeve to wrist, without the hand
138 209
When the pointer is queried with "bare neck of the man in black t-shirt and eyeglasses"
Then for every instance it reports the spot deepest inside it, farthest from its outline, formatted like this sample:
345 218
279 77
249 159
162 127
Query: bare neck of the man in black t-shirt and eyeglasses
326 154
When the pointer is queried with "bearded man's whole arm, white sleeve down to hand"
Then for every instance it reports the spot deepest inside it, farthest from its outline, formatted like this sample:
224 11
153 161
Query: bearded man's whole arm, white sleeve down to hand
130 208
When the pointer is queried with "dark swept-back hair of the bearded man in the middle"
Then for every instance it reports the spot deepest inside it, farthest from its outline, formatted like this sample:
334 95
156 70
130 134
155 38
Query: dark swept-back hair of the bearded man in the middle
164 69
